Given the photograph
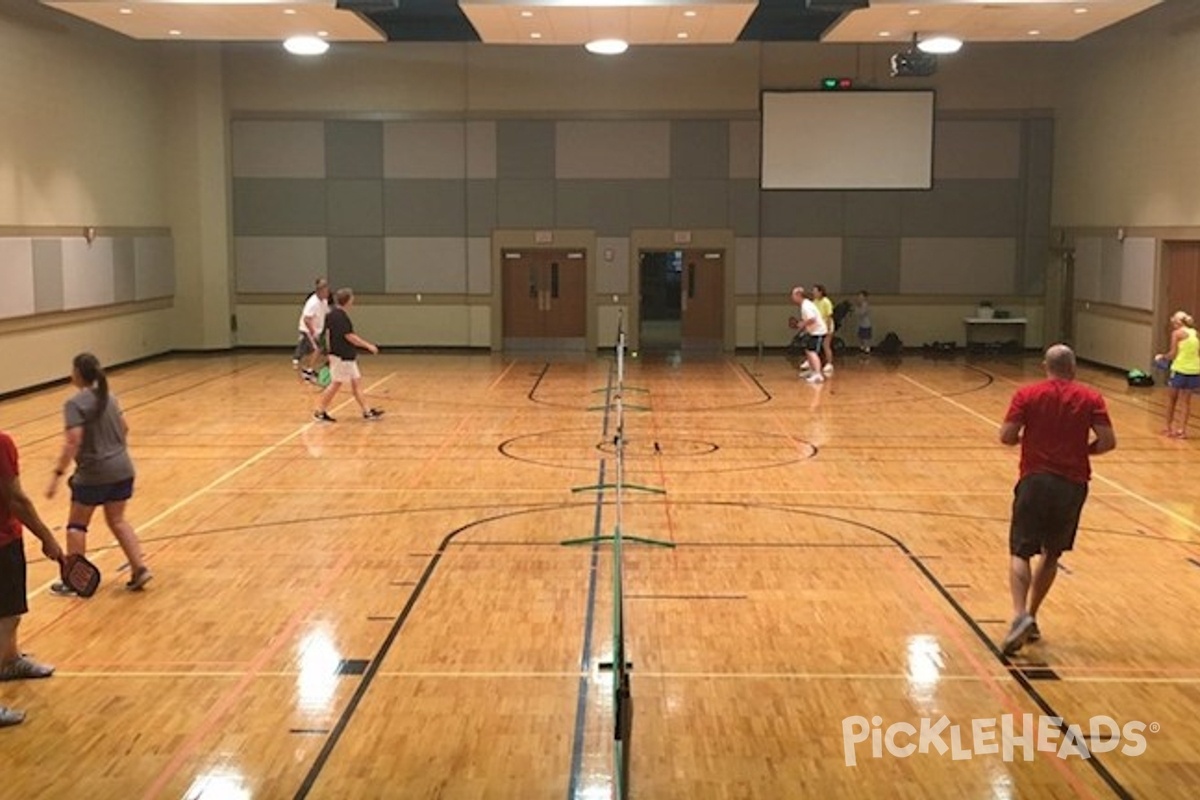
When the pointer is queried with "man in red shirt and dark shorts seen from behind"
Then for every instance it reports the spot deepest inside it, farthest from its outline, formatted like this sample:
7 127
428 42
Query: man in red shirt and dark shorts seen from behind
1053 422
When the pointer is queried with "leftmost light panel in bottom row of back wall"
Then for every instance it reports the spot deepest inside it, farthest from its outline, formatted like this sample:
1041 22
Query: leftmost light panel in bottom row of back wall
279 266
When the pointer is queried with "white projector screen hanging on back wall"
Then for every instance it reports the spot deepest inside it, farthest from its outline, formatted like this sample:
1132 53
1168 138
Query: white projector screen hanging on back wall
848 140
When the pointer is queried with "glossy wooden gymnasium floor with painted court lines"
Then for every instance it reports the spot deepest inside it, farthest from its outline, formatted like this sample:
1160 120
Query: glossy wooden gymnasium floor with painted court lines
385 610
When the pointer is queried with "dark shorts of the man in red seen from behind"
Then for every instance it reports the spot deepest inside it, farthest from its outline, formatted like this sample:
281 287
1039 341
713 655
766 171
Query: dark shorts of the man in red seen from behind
1046 515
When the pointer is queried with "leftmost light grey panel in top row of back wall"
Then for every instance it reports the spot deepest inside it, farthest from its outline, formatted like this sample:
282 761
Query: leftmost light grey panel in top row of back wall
278 149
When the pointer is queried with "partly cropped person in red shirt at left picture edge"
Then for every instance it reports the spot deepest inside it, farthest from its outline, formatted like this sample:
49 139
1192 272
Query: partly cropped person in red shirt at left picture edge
17 509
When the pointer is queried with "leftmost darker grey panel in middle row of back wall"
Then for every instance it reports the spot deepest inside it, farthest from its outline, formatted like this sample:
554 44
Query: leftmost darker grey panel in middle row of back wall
279 208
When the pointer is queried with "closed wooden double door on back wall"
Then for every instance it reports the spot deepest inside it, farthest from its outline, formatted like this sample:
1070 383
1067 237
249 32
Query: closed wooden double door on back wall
545 299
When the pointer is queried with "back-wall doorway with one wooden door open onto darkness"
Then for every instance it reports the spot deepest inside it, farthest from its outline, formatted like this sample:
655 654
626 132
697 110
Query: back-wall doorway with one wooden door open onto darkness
682 299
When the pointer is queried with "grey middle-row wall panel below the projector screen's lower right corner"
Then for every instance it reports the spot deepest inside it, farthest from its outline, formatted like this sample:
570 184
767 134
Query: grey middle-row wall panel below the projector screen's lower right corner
963 209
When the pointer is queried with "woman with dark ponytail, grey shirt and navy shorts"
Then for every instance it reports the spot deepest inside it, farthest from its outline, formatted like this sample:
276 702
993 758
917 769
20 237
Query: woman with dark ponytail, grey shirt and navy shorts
104 471
